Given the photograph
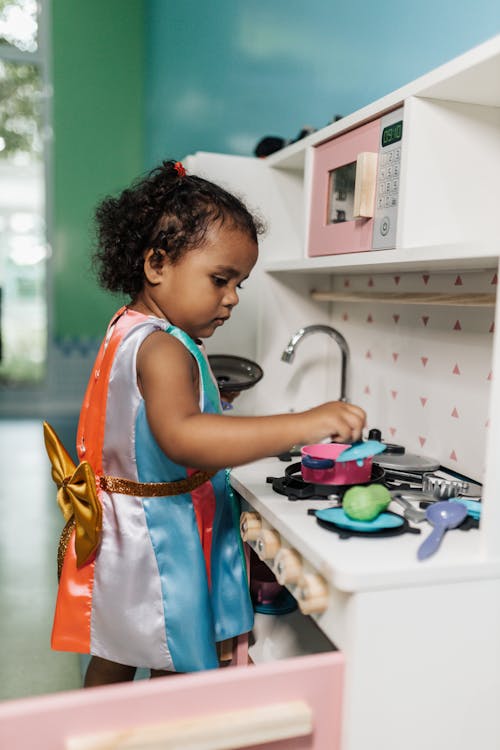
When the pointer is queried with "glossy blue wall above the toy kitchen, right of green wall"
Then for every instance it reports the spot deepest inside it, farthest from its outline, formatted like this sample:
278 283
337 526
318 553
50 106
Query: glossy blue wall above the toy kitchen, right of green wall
221 74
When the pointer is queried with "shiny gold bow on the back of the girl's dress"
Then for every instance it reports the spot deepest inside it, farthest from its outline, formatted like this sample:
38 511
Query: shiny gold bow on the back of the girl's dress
76 496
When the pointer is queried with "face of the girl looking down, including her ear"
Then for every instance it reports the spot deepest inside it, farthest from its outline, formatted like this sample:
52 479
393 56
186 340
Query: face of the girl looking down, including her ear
198 293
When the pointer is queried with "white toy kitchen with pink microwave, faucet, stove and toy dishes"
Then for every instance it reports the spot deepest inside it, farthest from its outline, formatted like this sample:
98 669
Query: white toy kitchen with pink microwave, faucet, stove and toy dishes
376 283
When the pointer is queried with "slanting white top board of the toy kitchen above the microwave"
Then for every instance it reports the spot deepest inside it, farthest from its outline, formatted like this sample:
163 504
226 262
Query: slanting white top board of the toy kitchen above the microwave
473 77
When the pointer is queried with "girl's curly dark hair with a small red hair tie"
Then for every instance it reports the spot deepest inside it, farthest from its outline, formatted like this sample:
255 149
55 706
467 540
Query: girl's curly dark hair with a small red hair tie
165 210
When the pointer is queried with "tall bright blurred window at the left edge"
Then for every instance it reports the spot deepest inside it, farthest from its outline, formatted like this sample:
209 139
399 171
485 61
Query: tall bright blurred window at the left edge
23 236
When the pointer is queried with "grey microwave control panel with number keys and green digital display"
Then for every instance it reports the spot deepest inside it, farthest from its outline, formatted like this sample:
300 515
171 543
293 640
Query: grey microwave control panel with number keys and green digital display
388 179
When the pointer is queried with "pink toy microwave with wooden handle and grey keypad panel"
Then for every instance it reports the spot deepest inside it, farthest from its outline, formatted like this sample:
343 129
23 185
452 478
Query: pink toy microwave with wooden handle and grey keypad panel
355 188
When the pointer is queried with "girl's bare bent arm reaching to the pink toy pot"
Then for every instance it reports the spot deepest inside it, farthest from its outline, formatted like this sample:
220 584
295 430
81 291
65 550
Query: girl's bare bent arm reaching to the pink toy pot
213 441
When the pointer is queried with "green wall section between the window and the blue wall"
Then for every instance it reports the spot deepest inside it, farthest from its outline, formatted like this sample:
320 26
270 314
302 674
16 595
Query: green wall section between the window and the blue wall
98 78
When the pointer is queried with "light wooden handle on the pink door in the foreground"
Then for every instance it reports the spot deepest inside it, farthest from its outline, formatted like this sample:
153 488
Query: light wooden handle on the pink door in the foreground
232 729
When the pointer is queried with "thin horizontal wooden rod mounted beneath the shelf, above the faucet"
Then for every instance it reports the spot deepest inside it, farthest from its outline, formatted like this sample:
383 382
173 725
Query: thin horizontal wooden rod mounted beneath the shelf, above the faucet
409 298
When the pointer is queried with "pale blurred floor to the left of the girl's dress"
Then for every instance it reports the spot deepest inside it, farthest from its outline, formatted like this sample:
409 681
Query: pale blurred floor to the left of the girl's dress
30 524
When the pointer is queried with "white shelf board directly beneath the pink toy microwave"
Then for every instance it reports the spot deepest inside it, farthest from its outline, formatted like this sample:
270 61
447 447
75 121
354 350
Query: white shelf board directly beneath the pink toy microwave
435 257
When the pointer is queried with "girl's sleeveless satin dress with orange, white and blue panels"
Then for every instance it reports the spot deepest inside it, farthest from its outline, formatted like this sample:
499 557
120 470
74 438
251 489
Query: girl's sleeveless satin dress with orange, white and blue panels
168 580
